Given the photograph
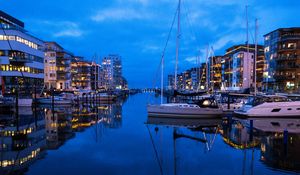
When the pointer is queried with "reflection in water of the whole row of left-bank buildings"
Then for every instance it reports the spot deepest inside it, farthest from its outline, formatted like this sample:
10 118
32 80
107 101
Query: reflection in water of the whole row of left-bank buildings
27 137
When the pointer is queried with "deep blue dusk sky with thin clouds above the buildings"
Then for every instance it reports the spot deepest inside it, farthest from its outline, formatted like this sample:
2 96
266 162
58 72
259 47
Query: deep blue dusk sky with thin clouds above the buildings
137 29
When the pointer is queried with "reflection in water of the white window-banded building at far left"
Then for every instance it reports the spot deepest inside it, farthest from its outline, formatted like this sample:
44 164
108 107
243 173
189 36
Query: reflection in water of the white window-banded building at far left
23 139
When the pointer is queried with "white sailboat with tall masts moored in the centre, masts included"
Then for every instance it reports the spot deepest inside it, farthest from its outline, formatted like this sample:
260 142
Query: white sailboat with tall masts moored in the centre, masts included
205 108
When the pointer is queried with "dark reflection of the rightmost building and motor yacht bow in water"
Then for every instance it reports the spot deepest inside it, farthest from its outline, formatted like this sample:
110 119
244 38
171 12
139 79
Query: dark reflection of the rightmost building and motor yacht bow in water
280 143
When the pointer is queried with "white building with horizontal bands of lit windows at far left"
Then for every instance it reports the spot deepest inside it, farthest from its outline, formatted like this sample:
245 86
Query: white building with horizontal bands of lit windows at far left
21 58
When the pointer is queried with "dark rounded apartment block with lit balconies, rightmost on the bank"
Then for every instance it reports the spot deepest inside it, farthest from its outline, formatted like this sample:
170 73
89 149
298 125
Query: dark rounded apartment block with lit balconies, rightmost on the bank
282 50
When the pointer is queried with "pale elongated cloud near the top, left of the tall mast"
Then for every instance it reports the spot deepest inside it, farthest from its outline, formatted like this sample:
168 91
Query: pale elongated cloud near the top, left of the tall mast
119 14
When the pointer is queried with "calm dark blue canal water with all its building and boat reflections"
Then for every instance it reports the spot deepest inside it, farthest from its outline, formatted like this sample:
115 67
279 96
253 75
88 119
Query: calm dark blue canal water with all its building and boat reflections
119 138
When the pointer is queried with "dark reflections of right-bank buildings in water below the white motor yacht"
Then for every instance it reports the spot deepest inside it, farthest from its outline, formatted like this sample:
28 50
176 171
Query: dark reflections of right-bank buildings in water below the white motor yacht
278 140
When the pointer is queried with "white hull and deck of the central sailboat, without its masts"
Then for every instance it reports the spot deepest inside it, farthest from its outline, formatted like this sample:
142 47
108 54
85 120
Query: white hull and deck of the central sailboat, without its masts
205 108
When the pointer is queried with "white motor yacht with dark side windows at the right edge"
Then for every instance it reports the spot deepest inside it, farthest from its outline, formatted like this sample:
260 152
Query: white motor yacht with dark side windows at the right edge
270 106
